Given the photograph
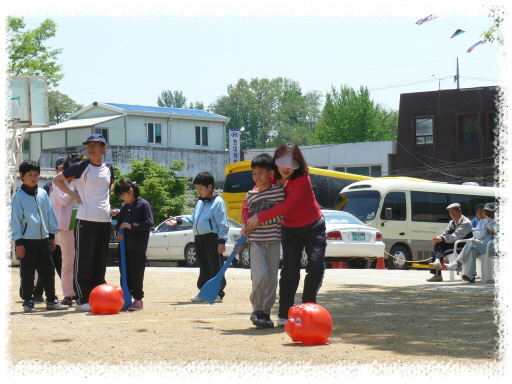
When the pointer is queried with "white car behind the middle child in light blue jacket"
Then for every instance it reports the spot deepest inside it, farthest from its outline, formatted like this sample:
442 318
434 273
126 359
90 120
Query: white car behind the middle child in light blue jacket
176 243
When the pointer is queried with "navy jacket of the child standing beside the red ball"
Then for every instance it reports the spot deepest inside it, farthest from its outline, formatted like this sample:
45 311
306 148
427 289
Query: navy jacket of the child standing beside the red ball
140 215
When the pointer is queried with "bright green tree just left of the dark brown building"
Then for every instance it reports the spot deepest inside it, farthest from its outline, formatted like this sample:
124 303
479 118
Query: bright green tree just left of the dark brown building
351 116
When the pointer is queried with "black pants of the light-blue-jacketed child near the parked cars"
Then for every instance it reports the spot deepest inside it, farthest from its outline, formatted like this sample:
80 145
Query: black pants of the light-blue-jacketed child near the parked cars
210 261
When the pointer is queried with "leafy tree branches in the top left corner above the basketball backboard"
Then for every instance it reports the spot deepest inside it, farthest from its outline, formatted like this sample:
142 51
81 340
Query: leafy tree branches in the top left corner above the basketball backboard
27 53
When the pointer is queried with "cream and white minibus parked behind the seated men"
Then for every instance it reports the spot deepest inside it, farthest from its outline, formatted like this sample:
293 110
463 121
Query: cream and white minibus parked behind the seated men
410 213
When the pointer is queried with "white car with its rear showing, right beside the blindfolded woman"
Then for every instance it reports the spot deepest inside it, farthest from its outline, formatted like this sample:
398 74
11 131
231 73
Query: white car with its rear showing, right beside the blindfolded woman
348 240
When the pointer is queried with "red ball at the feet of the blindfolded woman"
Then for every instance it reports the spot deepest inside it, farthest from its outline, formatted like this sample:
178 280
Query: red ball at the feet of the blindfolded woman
309 323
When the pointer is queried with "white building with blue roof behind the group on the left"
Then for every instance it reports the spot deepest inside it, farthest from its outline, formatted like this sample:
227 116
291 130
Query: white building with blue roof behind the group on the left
137 132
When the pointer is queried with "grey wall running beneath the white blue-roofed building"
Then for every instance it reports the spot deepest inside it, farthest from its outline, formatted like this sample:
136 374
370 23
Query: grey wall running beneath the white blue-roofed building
120 156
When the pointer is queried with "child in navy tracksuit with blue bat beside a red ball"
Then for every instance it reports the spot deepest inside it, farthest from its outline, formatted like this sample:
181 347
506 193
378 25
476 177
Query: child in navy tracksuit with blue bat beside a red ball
136 219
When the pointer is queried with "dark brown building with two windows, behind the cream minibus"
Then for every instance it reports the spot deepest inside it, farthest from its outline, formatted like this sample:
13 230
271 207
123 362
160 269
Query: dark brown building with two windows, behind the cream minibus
448 135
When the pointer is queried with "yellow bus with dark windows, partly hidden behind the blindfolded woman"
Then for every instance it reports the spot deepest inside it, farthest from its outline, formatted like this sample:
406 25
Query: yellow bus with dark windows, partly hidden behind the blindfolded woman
326 185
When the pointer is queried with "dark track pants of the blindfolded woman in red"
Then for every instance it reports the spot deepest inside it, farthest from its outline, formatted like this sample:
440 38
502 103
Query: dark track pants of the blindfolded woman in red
312 238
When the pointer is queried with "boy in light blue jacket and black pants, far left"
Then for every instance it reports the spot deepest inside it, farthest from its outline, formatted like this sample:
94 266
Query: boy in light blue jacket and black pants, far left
33 229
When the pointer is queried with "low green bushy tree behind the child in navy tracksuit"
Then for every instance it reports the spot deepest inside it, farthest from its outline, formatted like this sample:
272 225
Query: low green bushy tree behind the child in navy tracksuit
159 185
